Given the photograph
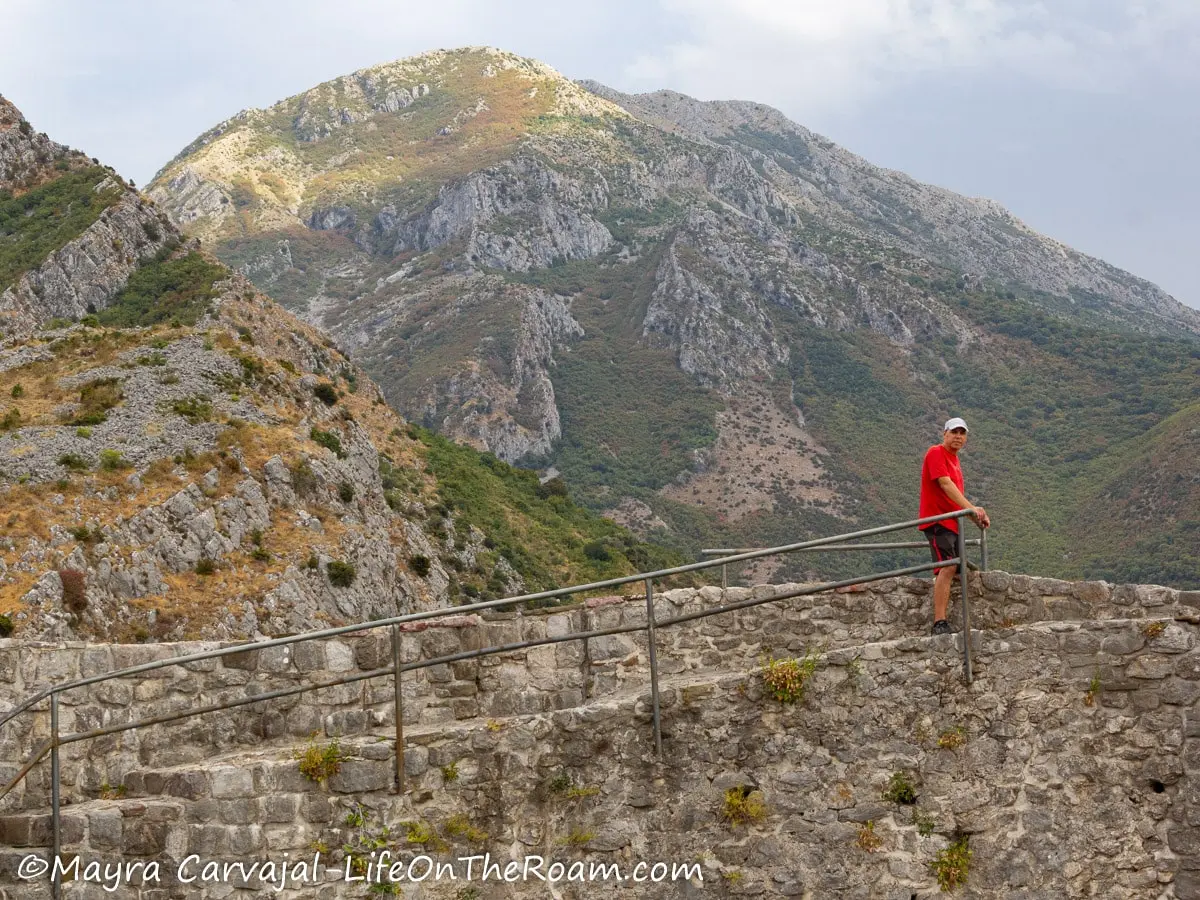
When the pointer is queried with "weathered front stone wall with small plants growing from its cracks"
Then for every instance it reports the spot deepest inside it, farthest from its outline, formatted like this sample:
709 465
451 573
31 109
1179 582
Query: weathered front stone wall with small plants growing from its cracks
1067 761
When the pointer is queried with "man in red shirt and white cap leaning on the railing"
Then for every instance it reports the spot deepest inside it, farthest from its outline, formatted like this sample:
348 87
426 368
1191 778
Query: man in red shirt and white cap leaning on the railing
941 491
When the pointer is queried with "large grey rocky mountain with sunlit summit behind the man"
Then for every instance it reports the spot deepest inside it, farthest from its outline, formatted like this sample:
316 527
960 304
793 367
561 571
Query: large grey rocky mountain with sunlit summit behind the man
715 323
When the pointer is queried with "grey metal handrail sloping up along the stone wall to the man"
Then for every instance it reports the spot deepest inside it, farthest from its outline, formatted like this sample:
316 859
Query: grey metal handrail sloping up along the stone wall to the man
395 625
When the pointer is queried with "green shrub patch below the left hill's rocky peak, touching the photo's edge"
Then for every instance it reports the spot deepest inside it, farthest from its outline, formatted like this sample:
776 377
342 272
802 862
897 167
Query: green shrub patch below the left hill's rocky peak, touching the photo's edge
37 224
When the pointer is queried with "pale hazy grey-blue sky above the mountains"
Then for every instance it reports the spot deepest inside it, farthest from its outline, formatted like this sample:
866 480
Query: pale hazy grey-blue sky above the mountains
1083 117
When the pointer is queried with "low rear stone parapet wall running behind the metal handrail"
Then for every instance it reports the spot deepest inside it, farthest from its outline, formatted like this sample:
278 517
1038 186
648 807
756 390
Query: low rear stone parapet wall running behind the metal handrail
532 681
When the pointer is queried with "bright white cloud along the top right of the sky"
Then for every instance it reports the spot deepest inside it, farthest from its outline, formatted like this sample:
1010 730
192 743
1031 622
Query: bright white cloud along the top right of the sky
824 56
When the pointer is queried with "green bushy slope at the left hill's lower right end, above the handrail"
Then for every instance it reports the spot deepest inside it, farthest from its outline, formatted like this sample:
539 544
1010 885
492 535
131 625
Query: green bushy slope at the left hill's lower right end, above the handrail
538 530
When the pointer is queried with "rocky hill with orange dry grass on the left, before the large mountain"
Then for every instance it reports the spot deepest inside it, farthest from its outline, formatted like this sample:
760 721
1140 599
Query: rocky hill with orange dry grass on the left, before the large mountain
181 457
